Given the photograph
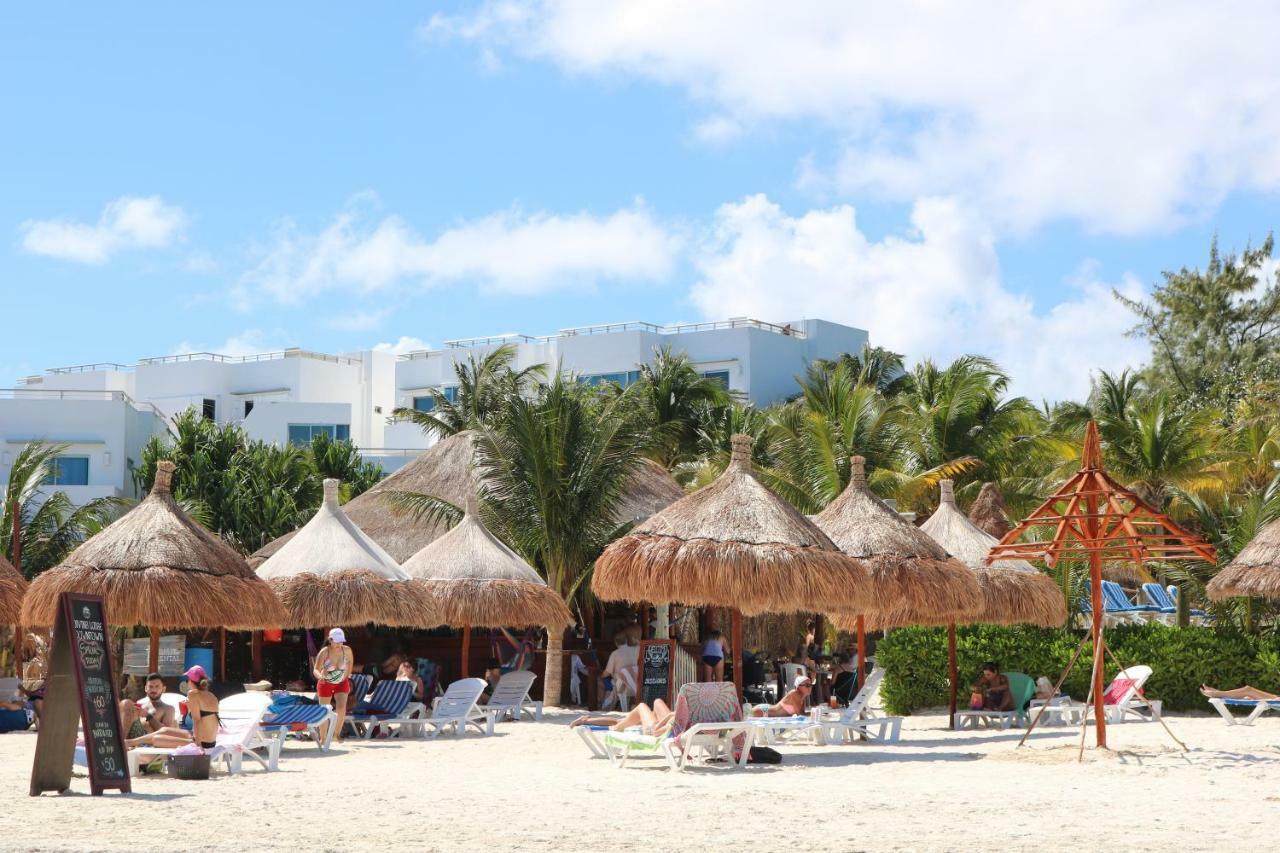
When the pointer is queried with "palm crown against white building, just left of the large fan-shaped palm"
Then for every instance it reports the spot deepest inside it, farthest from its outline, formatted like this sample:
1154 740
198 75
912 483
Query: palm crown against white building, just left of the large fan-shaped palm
483 386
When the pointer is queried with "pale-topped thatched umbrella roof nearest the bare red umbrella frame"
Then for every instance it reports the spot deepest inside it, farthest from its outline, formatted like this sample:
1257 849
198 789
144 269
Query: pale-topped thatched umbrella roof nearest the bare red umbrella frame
1013 591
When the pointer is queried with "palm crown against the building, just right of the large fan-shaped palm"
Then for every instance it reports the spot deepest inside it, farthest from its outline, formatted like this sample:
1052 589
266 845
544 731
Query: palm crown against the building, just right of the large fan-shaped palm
675 398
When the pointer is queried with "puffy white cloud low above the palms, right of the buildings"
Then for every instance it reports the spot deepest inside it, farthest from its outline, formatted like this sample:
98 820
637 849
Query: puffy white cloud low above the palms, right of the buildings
936 293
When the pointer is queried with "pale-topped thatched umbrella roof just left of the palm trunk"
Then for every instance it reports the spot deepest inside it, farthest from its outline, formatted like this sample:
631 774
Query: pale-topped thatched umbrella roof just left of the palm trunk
479 582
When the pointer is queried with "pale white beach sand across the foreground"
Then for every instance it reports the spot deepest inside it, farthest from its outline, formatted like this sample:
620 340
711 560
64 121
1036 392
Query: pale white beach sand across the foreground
536 787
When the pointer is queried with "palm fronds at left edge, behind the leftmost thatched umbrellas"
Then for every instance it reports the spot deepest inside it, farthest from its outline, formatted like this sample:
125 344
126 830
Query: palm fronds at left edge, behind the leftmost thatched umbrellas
53 527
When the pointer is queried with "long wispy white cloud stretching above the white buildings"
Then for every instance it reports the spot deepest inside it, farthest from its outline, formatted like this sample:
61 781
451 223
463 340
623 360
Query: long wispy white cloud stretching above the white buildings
509 253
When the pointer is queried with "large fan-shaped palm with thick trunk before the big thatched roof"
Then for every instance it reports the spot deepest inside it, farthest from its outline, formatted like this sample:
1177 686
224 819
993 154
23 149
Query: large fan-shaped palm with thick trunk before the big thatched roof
554 468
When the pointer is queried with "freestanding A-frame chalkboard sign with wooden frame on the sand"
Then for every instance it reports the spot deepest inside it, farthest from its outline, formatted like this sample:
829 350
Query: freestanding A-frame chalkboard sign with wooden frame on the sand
80 674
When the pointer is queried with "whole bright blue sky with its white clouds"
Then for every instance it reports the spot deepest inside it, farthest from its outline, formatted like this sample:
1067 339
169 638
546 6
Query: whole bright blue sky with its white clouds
260 176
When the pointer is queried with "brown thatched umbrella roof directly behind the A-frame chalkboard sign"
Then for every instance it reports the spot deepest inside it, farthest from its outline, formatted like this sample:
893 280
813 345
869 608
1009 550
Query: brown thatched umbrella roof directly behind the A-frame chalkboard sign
157 567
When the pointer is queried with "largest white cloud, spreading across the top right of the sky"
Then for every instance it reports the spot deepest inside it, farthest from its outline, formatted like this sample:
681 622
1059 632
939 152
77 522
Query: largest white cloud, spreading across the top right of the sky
1122 116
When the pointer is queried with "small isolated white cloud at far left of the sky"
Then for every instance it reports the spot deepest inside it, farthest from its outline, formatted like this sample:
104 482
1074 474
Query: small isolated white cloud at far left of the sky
126 223
